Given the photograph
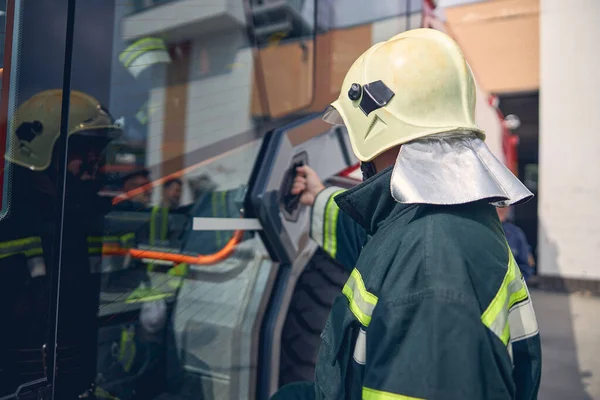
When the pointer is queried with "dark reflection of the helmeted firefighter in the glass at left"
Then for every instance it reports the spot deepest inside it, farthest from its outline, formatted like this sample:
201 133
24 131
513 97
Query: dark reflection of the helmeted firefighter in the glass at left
28 244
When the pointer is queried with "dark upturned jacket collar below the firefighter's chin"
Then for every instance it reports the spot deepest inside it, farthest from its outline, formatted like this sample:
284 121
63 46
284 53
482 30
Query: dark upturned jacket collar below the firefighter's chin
371 203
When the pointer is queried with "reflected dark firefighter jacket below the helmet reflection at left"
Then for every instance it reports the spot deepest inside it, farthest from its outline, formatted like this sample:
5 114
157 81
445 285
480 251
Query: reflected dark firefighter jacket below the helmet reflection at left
27 263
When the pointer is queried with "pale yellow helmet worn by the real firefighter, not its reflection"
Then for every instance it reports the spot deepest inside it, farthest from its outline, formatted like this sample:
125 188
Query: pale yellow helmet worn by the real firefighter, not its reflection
413 85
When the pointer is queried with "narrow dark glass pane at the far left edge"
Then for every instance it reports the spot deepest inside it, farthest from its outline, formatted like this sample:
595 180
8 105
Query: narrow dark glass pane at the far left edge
30 145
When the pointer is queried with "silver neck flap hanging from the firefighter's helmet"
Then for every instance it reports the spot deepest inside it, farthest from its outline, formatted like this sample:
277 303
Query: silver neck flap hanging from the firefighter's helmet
453 168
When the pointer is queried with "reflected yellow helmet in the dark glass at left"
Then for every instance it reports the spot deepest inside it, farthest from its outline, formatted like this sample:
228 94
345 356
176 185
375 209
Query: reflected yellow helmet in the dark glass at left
36 126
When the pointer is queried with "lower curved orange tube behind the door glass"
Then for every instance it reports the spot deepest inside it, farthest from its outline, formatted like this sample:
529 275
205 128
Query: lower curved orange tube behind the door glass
201 259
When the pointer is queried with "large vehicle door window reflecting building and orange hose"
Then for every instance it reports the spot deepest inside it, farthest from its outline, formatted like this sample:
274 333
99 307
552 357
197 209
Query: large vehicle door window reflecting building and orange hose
173 294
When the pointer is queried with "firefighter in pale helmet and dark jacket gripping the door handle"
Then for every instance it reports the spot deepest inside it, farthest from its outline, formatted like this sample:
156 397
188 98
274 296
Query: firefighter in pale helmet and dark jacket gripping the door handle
435 307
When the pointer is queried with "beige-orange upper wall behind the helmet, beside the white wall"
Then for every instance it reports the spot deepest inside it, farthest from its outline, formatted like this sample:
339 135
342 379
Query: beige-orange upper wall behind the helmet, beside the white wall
500 39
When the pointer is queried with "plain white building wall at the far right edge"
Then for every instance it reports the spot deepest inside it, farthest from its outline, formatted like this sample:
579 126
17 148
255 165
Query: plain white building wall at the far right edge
569 230
